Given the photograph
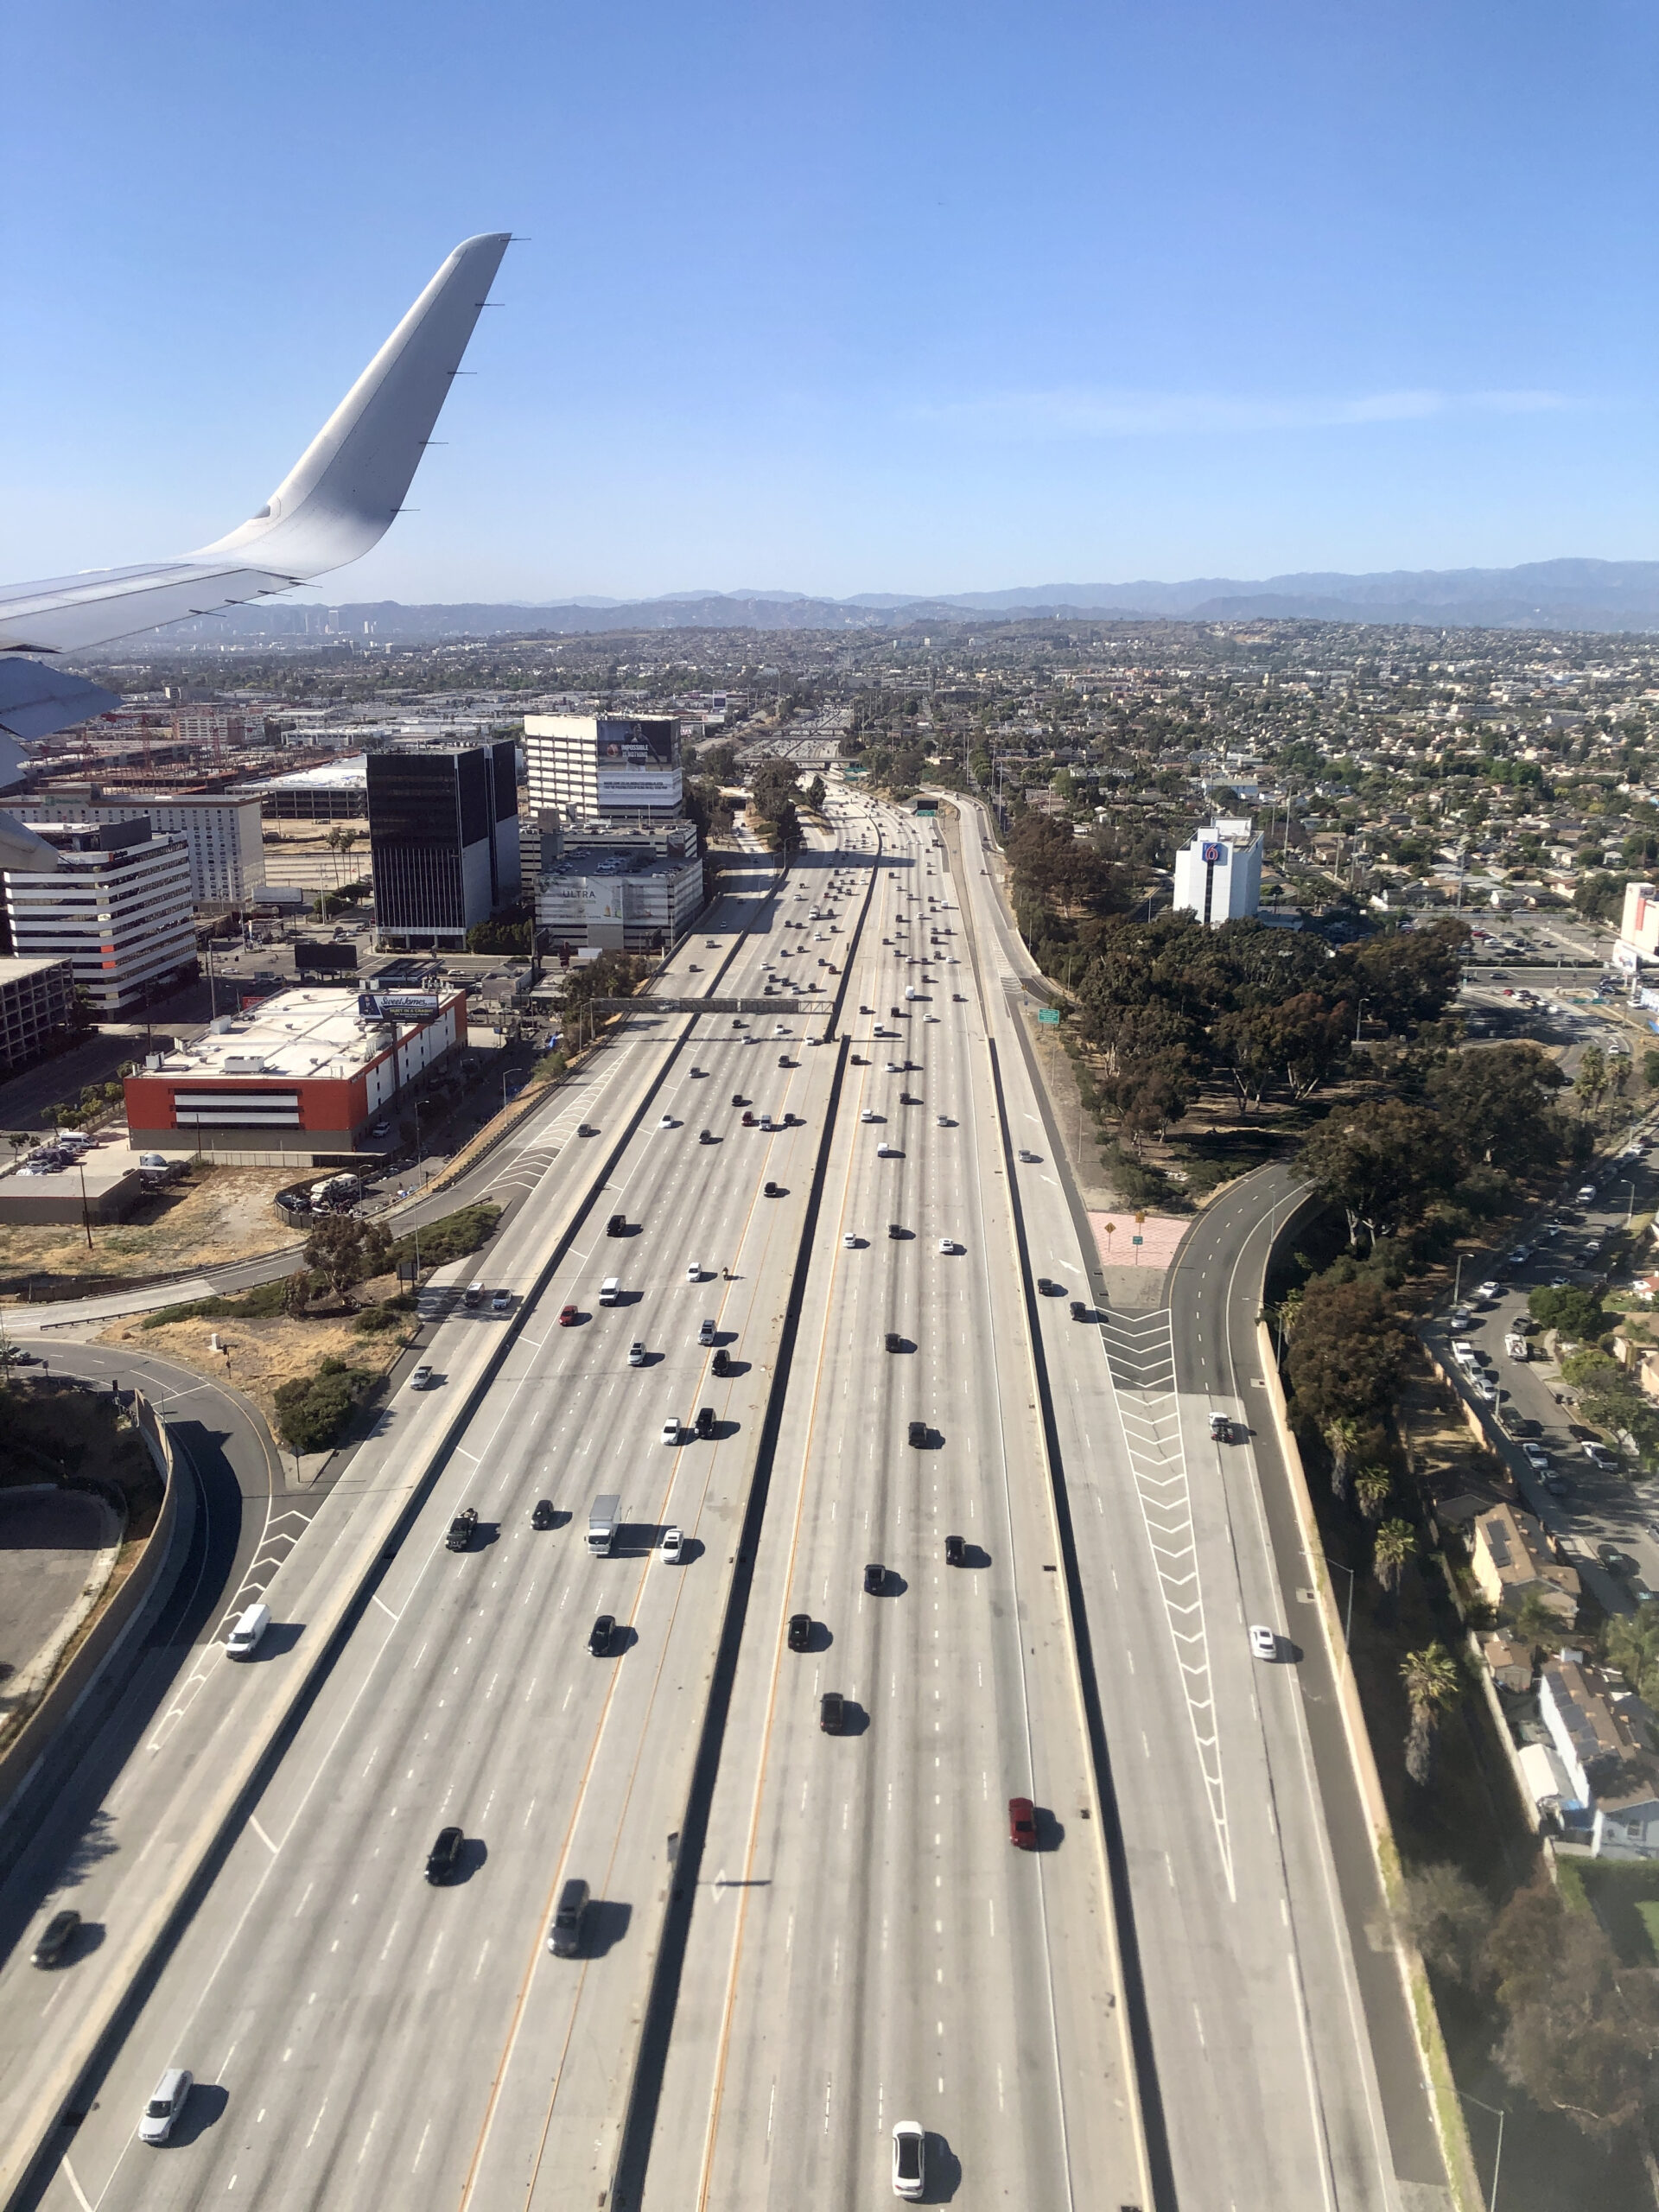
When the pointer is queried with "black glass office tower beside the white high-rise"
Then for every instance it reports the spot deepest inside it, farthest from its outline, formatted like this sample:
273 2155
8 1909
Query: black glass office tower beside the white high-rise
444 839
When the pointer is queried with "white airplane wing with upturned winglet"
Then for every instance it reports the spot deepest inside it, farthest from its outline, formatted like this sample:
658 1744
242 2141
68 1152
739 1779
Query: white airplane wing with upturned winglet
333 505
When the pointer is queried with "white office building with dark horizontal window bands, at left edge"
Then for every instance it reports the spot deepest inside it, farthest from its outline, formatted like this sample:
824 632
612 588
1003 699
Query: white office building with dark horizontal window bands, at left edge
118 910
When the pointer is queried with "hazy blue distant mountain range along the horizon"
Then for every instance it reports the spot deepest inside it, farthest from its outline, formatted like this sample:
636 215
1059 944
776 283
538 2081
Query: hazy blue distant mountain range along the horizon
1538 596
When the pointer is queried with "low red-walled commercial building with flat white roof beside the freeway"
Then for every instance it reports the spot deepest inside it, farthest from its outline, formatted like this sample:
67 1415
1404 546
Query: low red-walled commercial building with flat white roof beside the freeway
293 1081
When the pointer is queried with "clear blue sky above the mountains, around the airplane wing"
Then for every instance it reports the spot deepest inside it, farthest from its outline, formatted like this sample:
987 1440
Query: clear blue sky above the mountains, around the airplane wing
901 298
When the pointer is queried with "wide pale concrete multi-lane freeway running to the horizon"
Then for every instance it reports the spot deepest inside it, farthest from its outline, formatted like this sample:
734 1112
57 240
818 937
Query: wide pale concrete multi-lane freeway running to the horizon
839 1934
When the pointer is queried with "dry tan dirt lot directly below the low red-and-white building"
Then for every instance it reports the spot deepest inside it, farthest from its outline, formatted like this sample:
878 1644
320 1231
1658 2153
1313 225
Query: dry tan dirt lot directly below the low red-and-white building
211 1218
